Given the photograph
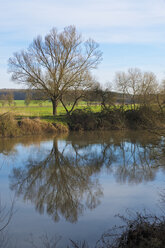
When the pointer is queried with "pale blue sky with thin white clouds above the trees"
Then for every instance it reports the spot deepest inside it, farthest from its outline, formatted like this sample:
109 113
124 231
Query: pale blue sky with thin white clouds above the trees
131 33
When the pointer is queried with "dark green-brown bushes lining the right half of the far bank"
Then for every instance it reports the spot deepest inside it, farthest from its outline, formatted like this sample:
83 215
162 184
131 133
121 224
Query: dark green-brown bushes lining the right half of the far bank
116 119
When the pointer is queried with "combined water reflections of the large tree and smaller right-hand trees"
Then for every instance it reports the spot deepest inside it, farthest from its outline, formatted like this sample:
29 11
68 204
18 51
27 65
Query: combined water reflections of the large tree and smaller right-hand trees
65 182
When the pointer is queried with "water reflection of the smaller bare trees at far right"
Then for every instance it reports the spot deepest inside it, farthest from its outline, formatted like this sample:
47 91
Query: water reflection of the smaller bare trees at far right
139 159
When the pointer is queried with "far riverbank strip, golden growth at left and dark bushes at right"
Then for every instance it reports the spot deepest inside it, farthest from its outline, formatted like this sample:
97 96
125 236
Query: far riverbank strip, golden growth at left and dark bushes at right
83 118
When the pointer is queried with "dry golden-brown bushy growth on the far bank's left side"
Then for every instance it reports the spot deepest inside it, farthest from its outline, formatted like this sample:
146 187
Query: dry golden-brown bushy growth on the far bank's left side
9 127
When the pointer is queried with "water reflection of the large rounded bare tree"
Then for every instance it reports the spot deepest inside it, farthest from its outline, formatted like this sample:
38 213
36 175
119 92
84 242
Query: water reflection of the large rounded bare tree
59 184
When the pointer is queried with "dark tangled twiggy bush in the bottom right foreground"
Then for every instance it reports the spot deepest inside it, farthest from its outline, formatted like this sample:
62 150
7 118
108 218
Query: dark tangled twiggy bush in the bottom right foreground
141 231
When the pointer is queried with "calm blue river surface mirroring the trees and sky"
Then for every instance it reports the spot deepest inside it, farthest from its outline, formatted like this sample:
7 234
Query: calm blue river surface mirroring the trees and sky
72 186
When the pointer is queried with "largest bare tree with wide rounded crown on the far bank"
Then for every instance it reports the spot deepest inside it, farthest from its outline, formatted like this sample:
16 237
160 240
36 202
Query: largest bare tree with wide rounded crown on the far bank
60 62
